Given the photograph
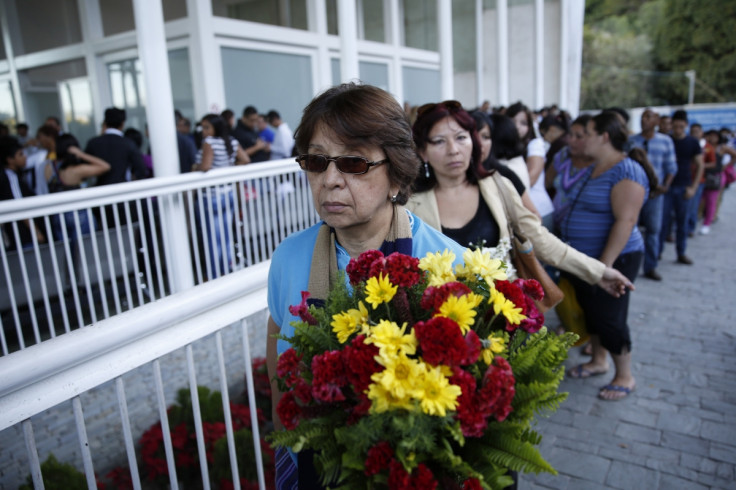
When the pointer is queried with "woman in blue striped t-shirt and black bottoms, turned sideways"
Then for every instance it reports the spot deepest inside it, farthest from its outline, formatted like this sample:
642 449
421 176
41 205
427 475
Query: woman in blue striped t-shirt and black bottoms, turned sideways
602 223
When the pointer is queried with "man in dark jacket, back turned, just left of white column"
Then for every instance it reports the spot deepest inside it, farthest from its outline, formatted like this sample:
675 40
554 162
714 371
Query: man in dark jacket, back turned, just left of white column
121 153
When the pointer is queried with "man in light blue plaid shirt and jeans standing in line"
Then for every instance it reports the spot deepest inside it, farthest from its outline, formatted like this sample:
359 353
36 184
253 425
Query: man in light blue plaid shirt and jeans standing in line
661 154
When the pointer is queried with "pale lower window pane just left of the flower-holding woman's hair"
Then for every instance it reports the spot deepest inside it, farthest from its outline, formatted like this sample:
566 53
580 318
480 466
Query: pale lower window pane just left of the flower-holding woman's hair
283 82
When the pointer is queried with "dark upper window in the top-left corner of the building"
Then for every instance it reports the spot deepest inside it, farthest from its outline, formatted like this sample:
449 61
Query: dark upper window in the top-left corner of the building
44 25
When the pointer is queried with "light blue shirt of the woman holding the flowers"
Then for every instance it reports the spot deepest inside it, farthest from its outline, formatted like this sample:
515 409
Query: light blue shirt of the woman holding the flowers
291 263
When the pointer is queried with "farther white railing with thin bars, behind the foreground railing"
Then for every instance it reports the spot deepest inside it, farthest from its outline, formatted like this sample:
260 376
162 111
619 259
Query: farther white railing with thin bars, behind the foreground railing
111 249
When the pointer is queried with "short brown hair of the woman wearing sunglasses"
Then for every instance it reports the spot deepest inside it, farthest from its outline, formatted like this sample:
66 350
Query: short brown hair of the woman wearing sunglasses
364 116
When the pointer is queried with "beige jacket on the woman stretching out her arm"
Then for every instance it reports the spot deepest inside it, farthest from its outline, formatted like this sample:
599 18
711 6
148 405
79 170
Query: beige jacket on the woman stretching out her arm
547 247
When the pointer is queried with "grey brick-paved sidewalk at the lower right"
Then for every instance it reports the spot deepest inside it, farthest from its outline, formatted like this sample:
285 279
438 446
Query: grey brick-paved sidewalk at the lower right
678 429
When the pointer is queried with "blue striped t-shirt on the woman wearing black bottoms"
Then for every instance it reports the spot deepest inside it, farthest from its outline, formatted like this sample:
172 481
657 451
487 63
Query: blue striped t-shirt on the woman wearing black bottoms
590 219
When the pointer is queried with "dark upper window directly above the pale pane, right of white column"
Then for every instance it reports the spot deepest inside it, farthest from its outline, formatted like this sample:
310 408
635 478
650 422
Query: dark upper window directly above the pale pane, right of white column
289 13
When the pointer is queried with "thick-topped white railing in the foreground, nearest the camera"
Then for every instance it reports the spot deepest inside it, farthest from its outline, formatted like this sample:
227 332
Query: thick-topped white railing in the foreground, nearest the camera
121 349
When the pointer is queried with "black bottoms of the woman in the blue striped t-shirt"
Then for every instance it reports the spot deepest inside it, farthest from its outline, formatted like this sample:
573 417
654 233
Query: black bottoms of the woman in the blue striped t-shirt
605 315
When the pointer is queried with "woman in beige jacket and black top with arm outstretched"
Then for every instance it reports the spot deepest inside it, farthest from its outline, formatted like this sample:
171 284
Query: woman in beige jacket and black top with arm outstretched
455 194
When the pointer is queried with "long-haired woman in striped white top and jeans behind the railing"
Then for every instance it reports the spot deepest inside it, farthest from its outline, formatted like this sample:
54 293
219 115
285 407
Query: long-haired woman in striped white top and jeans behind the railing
219 150
